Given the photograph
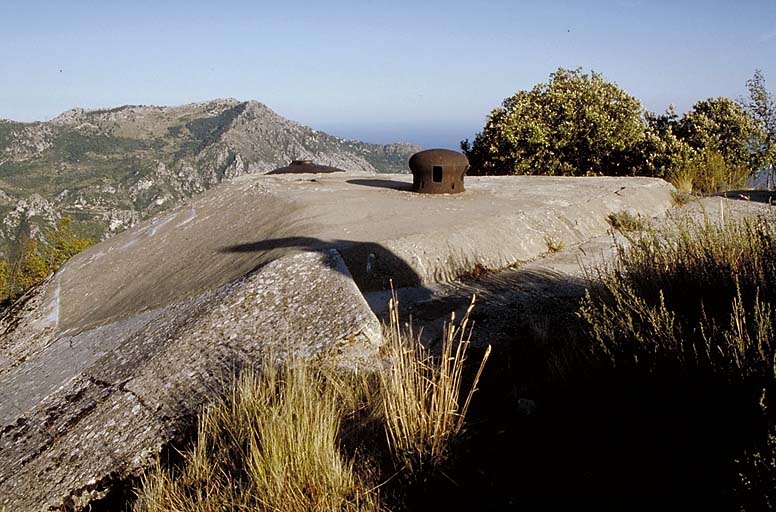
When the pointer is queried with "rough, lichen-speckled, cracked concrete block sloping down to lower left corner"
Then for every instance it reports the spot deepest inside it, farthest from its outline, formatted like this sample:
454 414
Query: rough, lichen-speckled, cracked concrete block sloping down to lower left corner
127 413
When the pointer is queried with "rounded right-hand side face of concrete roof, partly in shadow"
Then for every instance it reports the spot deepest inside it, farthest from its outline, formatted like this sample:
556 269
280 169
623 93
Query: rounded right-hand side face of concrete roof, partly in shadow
500 243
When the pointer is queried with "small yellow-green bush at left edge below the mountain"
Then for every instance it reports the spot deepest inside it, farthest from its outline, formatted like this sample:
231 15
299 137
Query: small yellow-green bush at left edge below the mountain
37 260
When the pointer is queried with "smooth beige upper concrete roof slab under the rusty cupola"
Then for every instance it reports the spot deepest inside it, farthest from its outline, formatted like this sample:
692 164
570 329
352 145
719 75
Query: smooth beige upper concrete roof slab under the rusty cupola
382 230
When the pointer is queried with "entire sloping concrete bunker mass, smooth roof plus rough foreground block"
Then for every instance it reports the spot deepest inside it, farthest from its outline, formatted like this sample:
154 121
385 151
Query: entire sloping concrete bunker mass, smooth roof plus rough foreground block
106 363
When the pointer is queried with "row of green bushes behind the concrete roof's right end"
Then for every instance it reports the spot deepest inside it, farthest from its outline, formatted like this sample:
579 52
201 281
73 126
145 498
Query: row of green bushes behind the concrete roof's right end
579 124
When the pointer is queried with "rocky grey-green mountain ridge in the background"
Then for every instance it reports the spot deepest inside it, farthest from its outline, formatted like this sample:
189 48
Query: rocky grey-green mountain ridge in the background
109 168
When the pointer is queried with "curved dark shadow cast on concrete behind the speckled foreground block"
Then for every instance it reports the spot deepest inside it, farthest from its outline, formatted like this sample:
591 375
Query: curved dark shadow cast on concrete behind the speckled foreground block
372 266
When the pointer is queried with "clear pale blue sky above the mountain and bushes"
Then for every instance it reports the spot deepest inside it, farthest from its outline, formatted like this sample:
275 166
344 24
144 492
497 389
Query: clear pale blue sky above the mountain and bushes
426 72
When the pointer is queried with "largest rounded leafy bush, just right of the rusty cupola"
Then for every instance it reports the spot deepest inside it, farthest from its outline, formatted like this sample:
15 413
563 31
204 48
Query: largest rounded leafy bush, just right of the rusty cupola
577 124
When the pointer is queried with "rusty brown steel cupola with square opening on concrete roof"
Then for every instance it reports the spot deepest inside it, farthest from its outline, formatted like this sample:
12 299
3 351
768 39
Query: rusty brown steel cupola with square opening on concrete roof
438 171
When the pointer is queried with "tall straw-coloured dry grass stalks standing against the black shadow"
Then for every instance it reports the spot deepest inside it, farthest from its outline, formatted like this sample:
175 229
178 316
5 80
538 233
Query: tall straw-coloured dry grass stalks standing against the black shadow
421 393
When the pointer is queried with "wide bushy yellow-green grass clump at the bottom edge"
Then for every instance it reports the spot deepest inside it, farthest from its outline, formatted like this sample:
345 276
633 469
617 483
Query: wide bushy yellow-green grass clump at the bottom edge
272 445
